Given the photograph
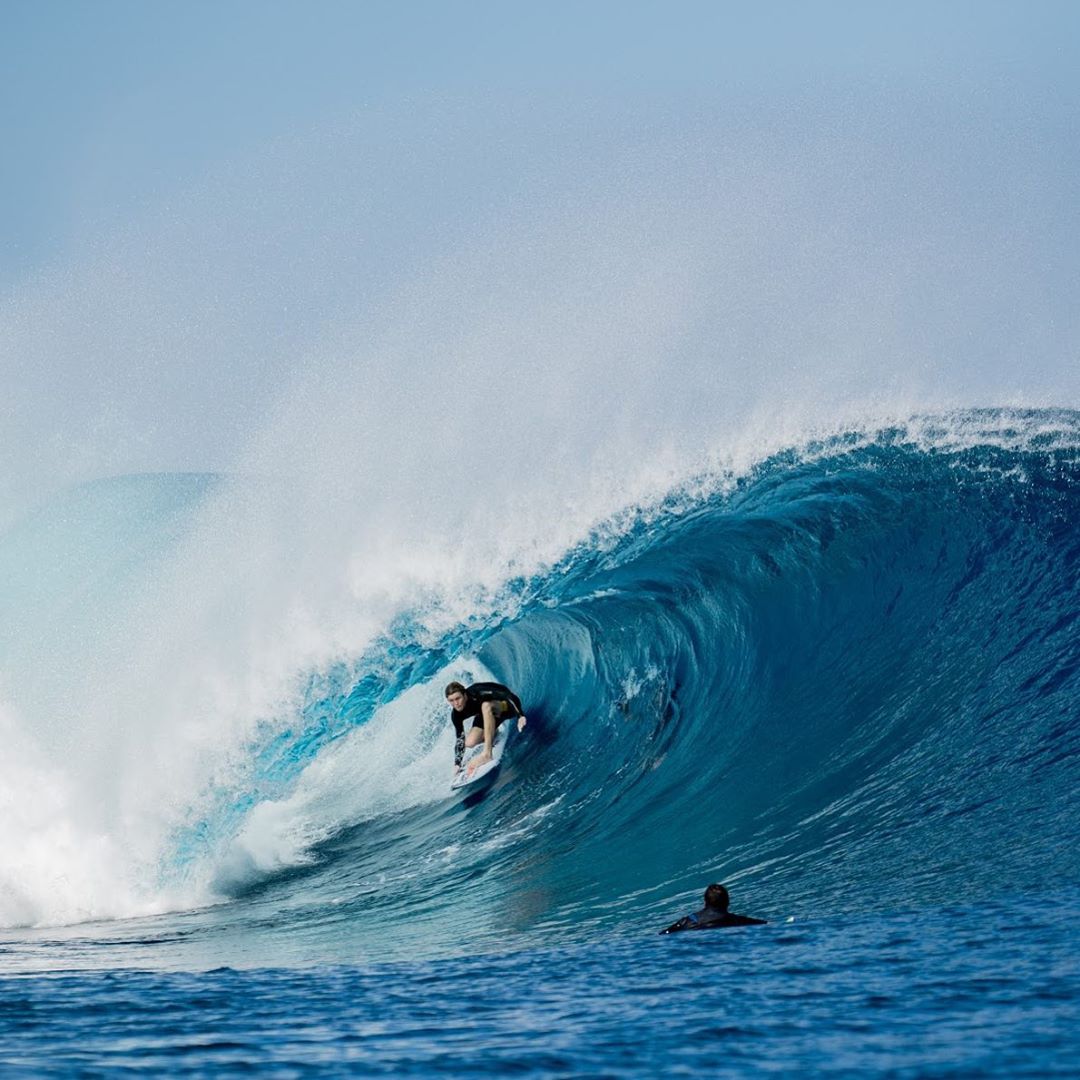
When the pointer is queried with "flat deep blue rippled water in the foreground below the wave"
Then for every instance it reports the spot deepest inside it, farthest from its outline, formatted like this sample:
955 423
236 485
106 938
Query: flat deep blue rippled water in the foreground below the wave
987 991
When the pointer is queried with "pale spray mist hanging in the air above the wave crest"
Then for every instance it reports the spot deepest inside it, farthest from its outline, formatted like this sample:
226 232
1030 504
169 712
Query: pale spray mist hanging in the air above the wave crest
655 281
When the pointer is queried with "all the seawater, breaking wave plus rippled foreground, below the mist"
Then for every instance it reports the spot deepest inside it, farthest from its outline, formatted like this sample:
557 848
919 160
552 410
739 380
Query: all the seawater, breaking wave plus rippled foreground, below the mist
844 680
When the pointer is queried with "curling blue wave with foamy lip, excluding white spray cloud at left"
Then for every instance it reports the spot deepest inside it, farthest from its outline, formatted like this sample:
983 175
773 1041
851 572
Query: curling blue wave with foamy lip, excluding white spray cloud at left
845 680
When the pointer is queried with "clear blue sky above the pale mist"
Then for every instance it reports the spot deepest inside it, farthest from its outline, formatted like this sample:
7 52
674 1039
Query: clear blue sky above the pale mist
111 105
